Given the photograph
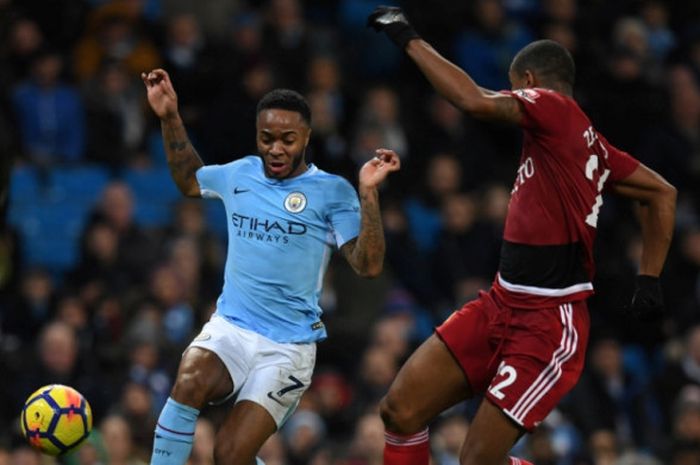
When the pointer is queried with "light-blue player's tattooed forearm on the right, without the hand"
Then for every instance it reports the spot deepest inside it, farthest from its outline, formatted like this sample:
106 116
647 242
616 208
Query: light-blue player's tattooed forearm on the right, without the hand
368 254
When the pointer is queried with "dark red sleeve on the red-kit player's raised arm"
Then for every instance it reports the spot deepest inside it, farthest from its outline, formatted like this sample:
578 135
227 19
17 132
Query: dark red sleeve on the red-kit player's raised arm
542 109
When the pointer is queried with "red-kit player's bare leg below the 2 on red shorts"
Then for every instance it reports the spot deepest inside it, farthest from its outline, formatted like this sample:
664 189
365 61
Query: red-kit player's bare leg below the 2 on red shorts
491 435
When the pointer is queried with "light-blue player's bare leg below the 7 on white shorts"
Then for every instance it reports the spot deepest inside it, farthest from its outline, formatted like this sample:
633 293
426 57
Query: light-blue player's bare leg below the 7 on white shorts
242 433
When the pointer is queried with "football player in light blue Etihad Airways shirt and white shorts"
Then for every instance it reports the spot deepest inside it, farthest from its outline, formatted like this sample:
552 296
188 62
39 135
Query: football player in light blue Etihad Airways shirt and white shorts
285 217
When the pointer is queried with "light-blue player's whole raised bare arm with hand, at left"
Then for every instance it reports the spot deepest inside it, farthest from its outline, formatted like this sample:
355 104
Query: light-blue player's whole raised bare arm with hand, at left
183 159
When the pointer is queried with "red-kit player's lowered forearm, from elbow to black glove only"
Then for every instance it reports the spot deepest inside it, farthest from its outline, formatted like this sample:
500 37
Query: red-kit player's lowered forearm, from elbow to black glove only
657 218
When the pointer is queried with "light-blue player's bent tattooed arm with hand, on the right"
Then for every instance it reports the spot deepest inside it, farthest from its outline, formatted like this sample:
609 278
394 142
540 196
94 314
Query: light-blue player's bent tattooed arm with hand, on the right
365 253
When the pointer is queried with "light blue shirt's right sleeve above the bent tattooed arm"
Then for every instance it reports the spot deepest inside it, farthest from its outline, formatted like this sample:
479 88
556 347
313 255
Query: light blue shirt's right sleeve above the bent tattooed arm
344 212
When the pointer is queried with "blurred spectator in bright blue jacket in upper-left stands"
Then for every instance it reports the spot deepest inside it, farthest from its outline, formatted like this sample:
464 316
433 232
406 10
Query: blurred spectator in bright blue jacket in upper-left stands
50 114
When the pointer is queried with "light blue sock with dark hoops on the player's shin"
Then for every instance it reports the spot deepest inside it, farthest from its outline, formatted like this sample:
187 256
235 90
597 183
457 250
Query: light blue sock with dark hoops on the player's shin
174 434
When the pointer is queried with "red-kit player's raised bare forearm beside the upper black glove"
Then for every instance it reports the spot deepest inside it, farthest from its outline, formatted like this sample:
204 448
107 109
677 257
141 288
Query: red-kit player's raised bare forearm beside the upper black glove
448 80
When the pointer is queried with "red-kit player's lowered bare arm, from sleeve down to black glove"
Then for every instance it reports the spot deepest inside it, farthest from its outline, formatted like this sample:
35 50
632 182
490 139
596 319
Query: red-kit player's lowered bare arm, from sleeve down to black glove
657 201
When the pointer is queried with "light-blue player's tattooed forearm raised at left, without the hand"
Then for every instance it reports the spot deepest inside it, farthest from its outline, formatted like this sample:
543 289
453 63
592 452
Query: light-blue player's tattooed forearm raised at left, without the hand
183 159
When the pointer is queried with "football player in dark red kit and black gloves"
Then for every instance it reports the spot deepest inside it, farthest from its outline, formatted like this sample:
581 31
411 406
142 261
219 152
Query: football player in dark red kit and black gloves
522 343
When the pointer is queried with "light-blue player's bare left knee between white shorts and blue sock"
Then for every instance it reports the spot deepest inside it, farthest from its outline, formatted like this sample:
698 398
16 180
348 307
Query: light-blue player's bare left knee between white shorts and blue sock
201 377
